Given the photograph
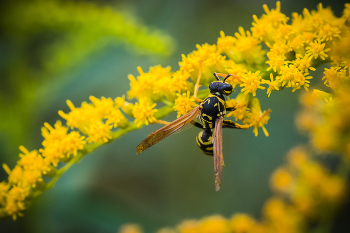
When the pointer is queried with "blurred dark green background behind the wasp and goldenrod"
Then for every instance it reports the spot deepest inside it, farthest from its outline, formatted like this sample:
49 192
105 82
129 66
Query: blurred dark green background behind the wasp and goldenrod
164 185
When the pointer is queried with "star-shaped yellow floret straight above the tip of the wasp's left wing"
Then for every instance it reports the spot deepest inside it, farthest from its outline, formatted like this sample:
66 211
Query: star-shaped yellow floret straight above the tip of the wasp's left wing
144 112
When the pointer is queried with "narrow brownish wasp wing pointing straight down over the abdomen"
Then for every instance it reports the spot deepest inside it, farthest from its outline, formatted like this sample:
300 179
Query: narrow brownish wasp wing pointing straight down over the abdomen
218 157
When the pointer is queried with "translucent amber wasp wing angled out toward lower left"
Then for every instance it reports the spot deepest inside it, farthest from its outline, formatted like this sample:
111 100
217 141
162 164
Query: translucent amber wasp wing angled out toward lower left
169 129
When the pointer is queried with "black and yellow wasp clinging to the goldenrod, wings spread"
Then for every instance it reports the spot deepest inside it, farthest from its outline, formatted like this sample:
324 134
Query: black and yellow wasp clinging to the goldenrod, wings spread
212 111
